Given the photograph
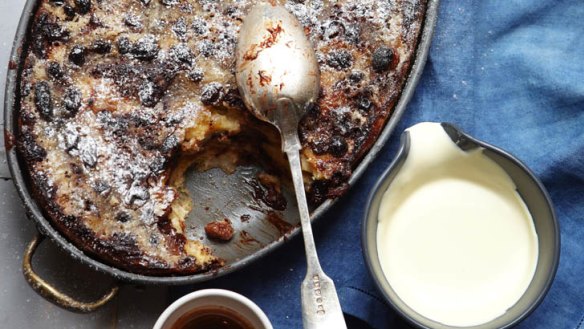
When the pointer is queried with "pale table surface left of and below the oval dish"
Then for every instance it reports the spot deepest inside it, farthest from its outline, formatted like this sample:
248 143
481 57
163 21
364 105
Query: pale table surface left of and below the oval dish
20 306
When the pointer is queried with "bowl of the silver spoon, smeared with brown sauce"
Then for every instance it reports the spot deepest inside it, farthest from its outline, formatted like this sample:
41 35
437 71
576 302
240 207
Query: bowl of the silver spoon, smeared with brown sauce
275 60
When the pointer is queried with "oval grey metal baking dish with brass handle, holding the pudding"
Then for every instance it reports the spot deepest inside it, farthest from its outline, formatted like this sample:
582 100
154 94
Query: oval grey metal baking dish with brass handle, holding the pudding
239 258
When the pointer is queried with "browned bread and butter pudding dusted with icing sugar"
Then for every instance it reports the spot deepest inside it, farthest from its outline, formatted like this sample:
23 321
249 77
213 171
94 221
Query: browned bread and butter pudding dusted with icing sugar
119 98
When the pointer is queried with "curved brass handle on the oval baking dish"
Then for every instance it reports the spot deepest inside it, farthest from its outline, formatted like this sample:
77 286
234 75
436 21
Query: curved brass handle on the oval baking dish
52 294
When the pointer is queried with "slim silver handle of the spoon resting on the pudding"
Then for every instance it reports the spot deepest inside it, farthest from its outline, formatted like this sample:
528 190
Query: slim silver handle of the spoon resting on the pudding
320 303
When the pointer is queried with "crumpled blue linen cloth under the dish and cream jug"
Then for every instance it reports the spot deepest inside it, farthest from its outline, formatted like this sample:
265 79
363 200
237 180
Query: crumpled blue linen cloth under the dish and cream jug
508 72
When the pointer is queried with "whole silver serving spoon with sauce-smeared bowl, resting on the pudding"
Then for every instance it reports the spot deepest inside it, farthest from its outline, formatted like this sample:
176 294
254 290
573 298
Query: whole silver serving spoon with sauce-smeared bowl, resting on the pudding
278 77
